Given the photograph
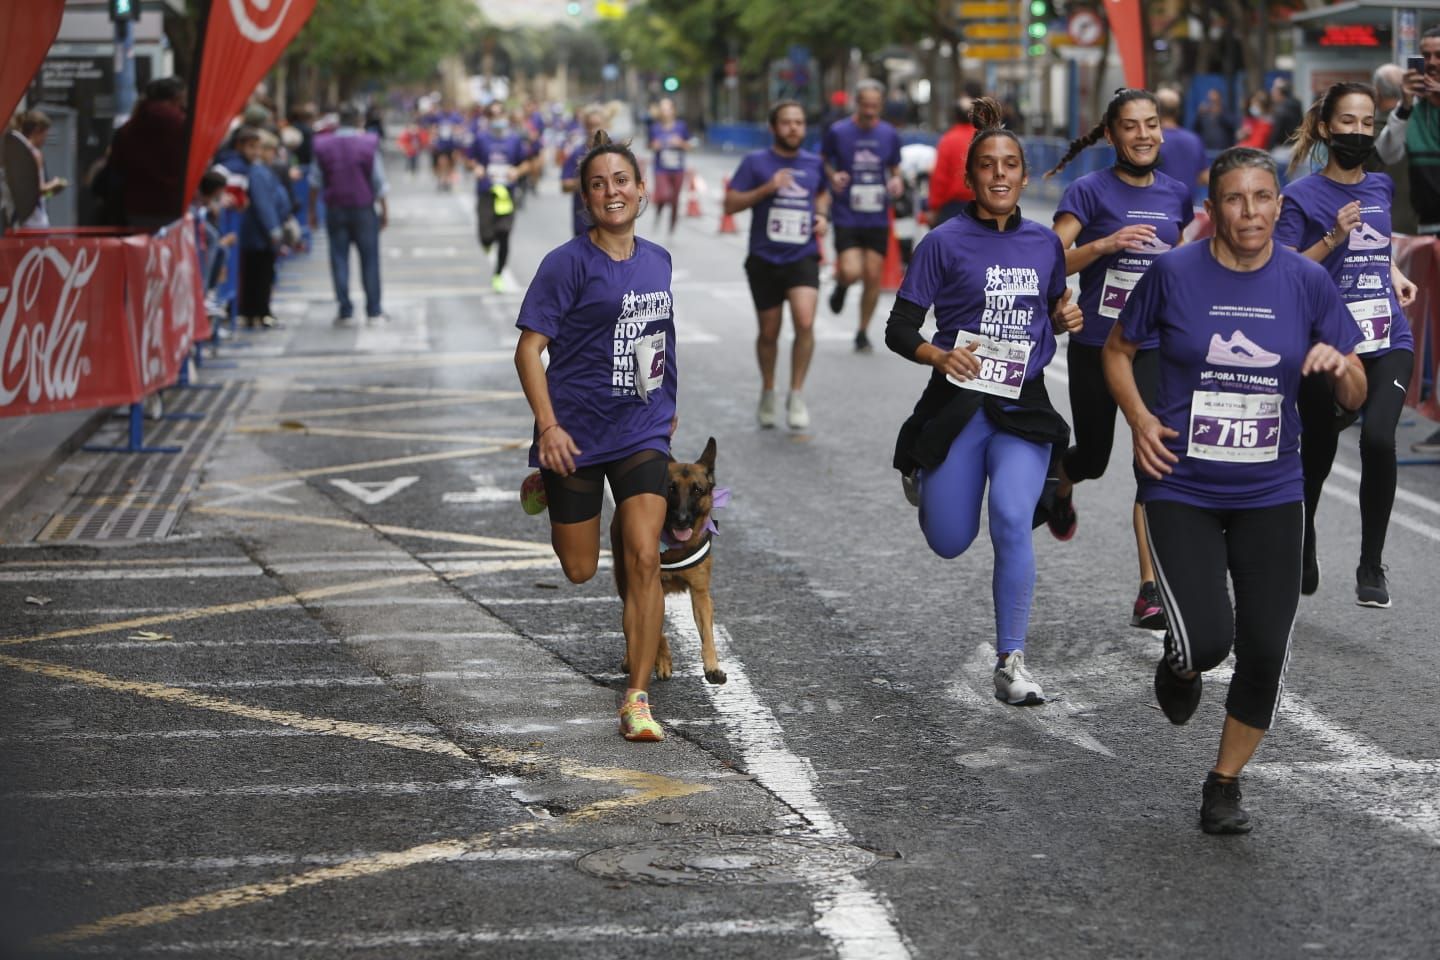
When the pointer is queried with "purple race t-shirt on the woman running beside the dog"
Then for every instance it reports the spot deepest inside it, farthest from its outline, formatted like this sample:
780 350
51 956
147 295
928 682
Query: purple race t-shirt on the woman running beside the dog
600 316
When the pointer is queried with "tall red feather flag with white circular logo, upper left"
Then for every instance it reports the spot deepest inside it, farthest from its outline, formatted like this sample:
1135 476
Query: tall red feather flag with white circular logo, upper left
243 41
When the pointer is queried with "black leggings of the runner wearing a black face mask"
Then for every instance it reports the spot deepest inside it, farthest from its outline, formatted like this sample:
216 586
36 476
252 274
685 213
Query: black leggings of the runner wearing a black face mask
1387 378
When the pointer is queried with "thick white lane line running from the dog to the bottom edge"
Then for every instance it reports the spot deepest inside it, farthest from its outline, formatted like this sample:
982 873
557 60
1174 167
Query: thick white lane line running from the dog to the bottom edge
855 919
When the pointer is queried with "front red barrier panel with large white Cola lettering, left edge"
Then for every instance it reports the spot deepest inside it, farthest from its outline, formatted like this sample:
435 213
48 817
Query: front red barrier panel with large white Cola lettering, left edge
66 342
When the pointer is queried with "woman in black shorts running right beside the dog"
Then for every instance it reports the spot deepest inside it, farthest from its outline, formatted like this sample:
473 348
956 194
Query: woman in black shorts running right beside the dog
604 408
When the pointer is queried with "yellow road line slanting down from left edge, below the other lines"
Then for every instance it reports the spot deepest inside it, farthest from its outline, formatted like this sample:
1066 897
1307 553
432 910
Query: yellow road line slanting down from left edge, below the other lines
184 697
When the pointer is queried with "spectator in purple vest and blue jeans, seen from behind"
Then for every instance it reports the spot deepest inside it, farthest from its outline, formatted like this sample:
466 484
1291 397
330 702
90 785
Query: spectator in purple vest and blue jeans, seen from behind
352 175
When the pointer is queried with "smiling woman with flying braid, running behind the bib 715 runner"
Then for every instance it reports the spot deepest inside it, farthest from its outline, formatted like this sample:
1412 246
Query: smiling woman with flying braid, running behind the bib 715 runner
1114 224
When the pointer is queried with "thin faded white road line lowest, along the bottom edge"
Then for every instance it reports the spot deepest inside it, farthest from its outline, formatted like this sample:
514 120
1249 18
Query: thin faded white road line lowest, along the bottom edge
703 930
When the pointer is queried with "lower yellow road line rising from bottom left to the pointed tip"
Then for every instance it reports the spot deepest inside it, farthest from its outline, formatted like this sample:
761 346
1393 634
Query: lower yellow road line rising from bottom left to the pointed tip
654 789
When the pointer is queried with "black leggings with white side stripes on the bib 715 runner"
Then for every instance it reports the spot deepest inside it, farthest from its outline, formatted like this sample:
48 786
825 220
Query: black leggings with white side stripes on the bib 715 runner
1261 549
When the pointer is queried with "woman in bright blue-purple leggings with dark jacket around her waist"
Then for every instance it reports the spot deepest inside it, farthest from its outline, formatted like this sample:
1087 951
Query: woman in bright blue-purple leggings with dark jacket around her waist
999 287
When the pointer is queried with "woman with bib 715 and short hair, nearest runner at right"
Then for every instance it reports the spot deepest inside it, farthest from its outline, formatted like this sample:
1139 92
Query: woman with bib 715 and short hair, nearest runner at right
1241 322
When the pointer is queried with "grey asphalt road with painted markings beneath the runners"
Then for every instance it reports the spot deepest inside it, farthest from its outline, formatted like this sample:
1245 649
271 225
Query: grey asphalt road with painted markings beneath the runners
351 707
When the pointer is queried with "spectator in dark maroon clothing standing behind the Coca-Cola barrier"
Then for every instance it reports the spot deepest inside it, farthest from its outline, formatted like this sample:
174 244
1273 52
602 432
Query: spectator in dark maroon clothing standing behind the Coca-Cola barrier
148 158
